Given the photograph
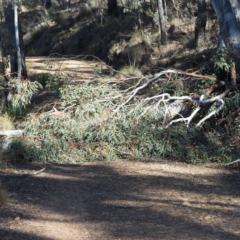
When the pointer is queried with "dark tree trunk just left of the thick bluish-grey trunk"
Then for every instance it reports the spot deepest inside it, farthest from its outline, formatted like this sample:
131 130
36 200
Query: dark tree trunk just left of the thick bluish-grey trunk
200 23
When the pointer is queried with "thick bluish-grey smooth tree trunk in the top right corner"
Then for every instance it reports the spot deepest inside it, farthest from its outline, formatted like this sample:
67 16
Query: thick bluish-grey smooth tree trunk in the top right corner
229 35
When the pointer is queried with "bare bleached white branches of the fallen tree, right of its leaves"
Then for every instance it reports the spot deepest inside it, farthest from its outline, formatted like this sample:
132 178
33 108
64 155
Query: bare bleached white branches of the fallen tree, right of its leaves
168 106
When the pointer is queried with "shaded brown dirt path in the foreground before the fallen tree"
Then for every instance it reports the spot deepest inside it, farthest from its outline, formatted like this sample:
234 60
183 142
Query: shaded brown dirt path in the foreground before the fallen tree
122 200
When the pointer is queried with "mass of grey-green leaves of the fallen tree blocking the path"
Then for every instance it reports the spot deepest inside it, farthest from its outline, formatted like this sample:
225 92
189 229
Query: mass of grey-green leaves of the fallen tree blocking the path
90 131
